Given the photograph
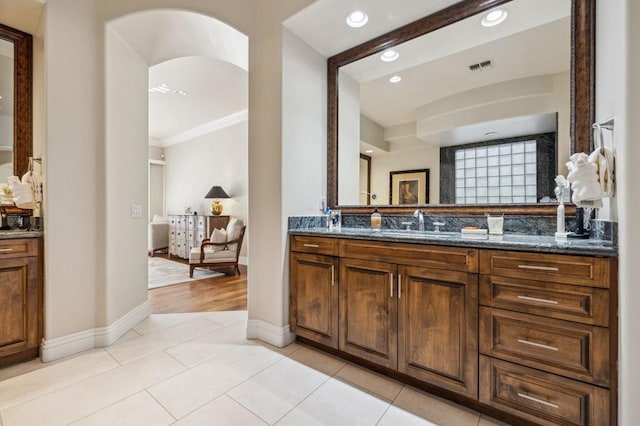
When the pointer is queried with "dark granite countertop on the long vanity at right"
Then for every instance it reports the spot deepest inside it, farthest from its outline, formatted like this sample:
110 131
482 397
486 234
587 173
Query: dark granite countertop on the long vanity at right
519 242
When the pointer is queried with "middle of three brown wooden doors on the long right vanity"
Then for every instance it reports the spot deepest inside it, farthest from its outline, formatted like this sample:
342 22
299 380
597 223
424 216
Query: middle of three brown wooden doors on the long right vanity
369 311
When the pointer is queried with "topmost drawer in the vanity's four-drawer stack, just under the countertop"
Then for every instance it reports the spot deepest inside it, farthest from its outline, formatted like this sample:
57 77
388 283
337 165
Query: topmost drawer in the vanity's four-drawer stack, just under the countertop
578 270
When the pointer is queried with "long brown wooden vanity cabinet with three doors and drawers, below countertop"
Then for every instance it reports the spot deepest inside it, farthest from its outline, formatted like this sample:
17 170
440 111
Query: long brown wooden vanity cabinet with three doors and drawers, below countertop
530 335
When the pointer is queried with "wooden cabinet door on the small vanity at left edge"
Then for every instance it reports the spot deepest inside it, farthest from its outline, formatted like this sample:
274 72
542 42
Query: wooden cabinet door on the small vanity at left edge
19 330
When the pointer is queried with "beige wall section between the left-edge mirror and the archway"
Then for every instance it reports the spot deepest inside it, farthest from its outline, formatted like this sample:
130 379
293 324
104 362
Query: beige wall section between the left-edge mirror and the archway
74 244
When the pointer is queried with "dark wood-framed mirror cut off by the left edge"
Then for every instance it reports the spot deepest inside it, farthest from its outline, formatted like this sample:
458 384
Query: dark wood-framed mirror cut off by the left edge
15 102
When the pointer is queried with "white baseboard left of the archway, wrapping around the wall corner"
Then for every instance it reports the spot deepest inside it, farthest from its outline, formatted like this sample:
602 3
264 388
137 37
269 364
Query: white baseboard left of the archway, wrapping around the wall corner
71 344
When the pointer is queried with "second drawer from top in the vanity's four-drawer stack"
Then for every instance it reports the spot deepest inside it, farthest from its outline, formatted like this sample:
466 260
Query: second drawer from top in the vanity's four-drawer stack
574 303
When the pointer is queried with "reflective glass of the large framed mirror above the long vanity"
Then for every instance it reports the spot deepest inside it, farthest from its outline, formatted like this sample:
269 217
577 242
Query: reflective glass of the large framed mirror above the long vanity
485 109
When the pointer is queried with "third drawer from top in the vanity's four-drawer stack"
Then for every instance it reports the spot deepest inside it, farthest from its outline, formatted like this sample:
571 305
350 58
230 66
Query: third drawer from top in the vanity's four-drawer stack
574 350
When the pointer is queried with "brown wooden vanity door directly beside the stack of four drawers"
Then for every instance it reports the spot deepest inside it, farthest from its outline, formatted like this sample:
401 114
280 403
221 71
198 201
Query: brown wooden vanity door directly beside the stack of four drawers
438 329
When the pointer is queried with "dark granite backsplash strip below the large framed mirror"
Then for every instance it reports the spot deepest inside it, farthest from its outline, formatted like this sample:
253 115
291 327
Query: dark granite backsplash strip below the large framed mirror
529 225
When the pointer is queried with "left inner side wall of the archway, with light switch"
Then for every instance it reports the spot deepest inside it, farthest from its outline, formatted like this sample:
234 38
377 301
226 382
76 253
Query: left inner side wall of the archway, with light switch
125 149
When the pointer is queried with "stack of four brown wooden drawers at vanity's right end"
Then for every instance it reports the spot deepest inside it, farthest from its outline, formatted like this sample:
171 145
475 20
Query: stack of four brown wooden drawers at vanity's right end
548 350
